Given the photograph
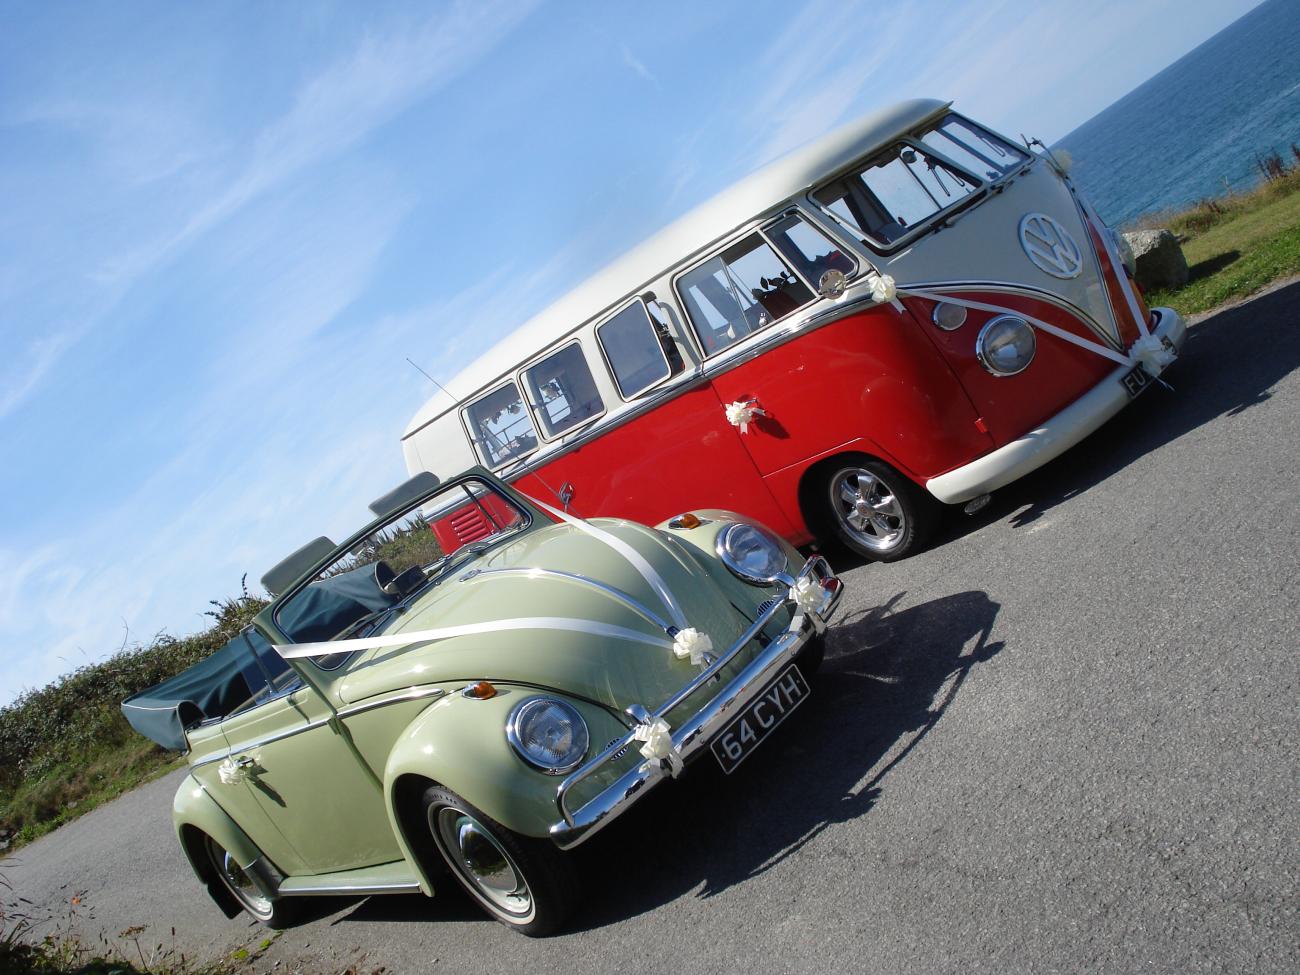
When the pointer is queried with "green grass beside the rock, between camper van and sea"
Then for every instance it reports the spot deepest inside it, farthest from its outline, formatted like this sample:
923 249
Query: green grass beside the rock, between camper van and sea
1236 246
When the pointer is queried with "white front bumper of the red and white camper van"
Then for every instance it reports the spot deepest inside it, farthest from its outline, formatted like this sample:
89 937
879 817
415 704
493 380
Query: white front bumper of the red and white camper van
1055 436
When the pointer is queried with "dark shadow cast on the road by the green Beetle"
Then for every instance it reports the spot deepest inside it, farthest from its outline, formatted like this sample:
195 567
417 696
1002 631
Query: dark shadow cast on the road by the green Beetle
889 678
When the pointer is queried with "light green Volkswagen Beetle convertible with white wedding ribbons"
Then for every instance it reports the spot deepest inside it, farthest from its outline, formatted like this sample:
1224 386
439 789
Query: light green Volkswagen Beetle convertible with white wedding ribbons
478 683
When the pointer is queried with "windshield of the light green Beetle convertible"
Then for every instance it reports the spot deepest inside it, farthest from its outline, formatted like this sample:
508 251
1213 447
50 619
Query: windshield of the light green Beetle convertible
378 574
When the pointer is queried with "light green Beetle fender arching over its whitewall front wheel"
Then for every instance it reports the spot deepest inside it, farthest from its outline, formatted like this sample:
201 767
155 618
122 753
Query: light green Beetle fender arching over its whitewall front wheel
461 744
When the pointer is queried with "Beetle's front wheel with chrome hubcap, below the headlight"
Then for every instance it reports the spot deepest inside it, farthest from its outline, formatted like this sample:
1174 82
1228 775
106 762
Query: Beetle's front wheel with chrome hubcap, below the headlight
527 885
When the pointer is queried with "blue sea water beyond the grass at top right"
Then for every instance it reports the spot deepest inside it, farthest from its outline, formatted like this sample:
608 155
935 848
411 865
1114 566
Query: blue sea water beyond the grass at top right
1195 129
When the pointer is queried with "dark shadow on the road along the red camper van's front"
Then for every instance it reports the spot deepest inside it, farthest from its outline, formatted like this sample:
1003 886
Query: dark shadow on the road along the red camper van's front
1229 365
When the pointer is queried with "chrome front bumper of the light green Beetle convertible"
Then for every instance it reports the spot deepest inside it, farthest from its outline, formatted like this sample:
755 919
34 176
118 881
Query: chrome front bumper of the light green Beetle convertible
695 735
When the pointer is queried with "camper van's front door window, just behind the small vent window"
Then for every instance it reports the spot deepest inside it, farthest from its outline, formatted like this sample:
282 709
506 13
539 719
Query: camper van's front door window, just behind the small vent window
742 291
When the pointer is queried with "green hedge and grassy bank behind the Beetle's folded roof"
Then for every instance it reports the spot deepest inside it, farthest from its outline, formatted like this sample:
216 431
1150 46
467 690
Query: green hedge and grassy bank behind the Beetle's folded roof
66 748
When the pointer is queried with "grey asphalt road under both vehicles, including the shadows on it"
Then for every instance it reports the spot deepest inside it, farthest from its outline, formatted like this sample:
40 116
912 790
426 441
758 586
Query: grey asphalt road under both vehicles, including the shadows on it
1061 740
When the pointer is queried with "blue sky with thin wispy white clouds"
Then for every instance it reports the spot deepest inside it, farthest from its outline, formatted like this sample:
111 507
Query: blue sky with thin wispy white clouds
224 227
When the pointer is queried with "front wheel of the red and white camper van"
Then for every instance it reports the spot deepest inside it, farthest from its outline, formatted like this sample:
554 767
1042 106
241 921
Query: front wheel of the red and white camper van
877 512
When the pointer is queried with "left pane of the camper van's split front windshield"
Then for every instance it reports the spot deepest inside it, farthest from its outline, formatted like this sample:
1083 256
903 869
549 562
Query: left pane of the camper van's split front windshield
895 193
